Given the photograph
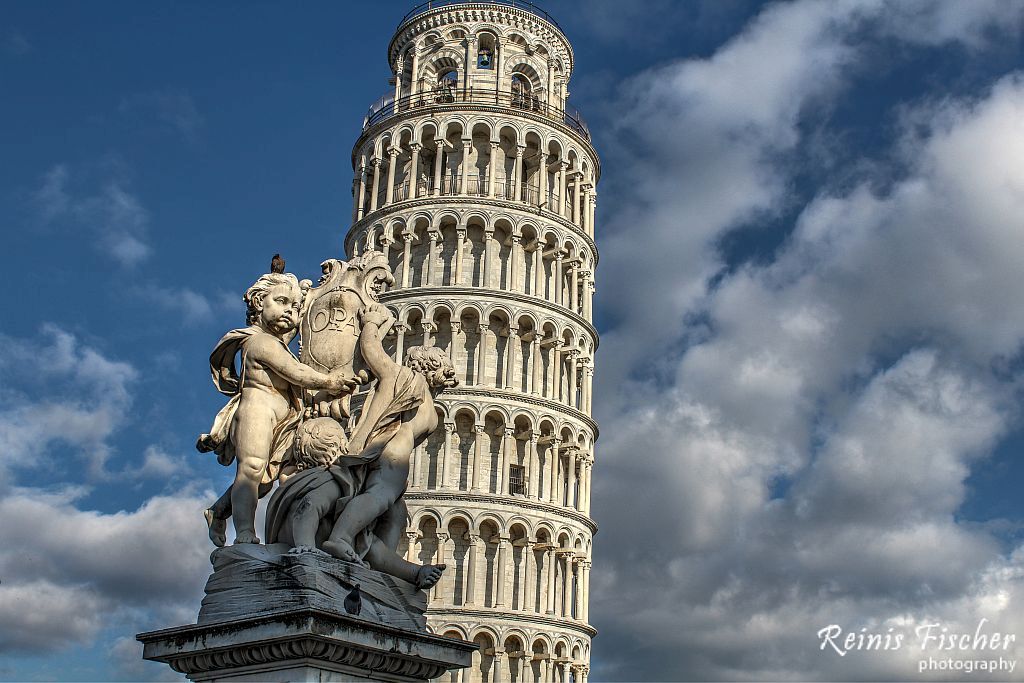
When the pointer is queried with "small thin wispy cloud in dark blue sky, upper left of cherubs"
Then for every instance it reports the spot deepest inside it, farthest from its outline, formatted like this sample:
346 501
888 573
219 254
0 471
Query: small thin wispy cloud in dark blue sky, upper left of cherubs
110 211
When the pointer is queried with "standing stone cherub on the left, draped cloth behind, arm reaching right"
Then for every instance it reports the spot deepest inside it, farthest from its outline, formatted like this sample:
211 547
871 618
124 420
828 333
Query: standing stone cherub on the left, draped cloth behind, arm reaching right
258 425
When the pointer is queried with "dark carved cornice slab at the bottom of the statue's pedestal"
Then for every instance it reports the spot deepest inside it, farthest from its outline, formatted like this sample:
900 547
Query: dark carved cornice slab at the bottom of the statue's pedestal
305 645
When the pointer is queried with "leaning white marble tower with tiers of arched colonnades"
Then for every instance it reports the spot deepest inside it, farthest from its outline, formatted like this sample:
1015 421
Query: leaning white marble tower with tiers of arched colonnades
479 183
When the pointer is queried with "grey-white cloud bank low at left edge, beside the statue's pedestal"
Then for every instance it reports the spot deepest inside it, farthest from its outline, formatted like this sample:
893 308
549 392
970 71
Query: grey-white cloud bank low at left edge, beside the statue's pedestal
69 573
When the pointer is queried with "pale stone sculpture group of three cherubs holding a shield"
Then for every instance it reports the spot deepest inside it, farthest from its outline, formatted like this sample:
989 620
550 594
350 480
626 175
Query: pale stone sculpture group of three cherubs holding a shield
342 475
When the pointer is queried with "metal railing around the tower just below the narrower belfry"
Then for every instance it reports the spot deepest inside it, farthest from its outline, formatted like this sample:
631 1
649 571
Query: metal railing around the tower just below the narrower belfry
389 107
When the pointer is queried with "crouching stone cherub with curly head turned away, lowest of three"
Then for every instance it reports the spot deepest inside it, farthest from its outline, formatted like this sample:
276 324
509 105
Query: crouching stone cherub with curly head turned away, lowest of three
304 510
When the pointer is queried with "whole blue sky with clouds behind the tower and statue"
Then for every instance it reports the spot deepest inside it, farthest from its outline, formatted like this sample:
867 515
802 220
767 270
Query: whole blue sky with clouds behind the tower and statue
809 383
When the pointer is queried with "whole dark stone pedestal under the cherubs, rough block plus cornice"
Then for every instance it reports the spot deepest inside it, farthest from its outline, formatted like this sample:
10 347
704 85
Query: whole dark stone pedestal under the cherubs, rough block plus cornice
273 616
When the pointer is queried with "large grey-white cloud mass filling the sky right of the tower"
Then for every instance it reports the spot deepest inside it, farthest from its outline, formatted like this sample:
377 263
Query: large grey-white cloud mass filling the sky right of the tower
800 455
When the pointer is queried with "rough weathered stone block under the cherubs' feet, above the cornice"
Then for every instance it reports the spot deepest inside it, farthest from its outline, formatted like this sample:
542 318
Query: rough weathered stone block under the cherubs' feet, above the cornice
250 580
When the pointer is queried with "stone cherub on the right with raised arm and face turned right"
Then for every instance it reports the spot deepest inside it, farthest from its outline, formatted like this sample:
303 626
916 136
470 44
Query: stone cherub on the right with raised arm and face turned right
399 417
